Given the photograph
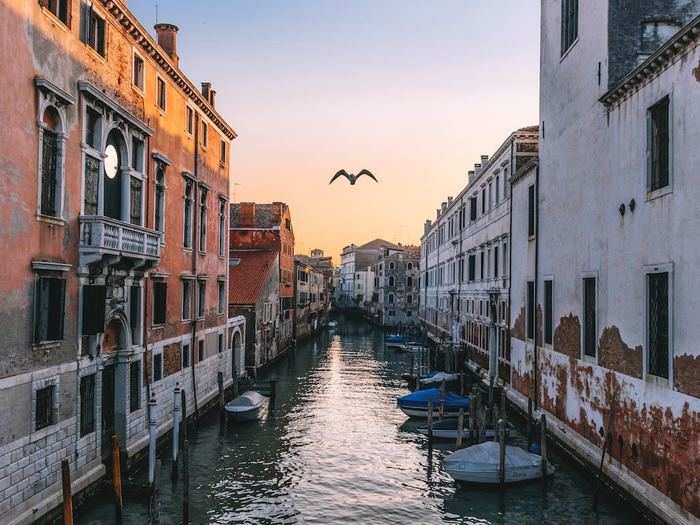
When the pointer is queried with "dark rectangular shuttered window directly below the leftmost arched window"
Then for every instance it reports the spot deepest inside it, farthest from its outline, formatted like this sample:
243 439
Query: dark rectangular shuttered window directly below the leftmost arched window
48 309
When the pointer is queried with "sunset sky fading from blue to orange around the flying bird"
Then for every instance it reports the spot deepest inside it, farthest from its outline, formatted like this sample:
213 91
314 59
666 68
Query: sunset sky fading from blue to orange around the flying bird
414 91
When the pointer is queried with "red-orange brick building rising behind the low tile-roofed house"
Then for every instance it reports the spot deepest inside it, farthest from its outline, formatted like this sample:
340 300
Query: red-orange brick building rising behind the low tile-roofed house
269 227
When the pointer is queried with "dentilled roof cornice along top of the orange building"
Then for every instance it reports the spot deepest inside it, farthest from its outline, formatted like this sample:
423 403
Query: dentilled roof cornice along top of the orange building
149 46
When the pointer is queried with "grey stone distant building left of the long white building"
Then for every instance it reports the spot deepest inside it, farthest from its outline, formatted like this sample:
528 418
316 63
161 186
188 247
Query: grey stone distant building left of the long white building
395 298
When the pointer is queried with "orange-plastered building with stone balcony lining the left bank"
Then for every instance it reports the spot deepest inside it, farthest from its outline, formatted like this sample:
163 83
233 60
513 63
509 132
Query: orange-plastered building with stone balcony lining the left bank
115 182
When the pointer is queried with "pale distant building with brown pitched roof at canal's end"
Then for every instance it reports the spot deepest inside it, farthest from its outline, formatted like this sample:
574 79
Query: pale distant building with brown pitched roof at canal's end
356 280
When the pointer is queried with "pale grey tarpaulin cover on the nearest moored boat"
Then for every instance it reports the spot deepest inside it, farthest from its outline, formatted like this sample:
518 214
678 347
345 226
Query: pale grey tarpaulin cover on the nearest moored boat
486 456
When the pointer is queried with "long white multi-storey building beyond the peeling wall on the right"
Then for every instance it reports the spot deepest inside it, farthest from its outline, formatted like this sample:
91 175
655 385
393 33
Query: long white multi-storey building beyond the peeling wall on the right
465 258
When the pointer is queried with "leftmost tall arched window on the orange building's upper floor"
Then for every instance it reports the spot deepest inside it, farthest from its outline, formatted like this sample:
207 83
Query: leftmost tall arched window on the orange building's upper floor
51 168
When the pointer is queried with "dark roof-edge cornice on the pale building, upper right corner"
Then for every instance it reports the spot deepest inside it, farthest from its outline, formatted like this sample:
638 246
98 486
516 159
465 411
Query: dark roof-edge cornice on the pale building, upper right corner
657 63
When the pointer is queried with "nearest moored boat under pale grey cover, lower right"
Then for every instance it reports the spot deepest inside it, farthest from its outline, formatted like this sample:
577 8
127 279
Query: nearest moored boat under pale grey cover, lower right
479 464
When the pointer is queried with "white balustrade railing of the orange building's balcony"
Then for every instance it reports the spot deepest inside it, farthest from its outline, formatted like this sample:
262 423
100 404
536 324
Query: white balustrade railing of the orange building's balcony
109 236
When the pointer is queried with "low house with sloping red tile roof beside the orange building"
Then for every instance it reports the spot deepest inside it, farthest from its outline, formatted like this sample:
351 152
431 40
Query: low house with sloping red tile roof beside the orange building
254 294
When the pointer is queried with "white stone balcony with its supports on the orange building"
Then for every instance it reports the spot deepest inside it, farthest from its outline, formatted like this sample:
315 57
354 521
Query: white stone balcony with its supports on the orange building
110 241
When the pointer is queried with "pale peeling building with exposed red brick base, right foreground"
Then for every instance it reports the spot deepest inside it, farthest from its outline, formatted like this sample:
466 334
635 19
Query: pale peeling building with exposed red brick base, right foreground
603 331
